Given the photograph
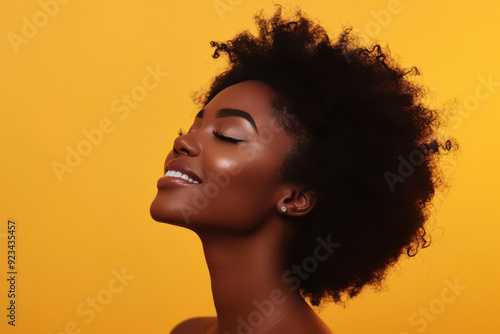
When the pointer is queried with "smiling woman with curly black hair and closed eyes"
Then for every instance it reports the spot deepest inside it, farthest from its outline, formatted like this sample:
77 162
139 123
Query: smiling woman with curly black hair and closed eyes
308 171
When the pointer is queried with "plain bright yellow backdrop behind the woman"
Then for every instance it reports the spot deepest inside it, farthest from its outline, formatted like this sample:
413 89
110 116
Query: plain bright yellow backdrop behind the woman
72 234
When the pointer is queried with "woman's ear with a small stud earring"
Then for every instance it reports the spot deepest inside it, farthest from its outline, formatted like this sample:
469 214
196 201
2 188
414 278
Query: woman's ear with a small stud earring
297 200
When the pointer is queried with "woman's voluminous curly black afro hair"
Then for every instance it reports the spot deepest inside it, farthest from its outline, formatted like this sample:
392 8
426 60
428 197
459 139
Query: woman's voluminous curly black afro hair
365 142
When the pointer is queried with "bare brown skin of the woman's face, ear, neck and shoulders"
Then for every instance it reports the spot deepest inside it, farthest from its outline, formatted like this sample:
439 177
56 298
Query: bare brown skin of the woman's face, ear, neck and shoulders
244 232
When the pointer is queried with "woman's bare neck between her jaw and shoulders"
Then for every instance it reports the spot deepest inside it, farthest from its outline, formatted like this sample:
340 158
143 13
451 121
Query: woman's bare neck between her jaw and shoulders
246 275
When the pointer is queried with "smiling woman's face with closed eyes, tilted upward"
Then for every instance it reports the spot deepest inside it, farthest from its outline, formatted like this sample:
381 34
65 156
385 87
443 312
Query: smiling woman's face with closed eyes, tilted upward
232 192
